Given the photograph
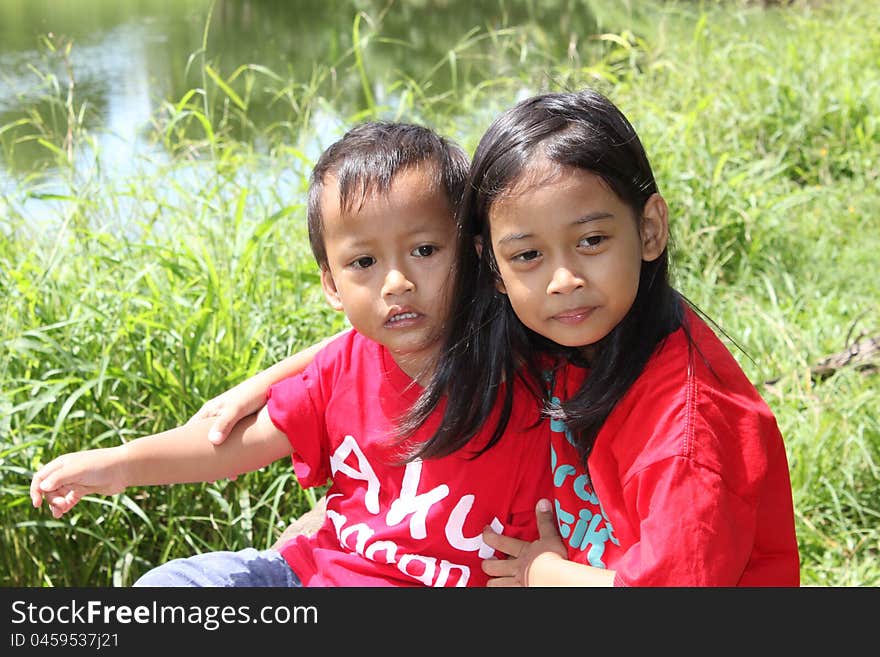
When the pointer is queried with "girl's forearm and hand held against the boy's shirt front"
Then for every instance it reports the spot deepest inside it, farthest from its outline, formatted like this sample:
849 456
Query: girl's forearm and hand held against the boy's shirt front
542 562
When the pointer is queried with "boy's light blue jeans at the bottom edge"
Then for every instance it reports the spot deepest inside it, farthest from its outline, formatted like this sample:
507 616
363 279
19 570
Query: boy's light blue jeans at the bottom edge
248 567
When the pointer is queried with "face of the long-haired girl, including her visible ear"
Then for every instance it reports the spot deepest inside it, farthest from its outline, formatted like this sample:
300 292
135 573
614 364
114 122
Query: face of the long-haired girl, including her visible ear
570 252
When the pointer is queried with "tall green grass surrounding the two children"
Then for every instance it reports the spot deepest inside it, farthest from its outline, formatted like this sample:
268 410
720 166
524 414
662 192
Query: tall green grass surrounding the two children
762 126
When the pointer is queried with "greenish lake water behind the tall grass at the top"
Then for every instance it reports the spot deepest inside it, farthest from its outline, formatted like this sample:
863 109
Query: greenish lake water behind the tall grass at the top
129 57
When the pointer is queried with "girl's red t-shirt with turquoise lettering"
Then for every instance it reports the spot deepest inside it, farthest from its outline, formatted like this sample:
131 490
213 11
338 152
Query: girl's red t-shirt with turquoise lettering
690 482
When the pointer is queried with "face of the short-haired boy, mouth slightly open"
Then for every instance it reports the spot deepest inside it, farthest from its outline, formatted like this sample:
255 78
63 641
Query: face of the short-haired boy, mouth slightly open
390 265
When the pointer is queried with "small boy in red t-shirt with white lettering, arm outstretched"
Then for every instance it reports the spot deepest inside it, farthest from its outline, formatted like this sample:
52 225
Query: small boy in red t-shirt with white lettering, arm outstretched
381 227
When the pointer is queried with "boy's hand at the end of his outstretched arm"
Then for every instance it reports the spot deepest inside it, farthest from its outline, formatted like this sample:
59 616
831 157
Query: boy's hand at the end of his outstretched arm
65 480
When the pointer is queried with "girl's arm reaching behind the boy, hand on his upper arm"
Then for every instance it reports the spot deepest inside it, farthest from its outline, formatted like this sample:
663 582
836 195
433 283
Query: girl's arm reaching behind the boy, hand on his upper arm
249 396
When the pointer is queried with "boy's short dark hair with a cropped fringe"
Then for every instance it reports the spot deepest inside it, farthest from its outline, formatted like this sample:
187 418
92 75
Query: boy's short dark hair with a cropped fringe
366 159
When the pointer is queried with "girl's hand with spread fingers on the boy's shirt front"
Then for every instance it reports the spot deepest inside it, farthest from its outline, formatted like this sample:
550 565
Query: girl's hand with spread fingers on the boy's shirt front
514 571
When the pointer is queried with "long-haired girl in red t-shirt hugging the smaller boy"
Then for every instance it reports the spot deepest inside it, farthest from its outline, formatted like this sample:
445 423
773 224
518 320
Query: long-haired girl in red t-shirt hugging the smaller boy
668 467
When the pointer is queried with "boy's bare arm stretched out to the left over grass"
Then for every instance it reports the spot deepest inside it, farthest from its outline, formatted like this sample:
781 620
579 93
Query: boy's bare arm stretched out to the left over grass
181 455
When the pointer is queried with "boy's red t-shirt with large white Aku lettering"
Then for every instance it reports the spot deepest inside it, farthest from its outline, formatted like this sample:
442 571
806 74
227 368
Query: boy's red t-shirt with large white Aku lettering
400 525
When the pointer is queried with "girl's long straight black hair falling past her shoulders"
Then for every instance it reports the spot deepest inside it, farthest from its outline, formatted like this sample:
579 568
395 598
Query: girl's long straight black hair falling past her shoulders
486 343
